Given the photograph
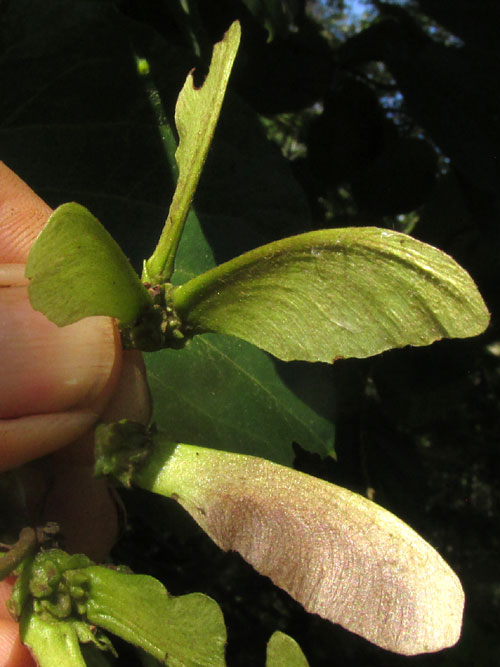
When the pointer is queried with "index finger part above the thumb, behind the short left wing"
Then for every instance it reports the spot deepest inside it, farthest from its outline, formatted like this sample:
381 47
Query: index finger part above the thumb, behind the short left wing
22 216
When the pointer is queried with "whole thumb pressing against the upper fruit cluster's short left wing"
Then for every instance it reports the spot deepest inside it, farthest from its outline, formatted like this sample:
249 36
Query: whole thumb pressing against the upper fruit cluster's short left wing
55 381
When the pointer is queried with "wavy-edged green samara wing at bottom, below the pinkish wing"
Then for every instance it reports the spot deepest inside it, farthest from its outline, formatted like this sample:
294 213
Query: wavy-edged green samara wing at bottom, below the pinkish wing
188 630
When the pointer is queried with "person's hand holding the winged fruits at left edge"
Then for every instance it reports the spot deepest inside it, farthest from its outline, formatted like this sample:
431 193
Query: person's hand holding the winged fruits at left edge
55 385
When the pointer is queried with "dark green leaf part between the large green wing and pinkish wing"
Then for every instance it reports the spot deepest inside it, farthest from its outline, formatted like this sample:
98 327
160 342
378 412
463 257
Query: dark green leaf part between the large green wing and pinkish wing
225 393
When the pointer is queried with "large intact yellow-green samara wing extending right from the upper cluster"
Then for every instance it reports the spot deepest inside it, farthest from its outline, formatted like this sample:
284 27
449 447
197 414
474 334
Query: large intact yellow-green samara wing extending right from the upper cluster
335 293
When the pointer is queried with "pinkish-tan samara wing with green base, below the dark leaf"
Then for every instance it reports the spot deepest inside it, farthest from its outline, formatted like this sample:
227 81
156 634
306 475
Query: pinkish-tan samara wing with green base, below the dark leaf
338 554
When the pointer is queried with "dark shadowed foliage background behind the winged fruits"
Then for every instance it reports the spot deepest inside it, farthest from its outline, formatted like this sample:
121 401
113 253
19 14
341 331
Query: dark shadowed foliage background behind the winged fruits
374 113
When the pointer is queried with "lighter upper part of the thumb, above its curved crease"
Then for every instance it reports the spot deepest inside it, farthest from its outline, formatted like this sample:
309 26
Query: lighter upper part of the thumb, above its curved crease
46 368
